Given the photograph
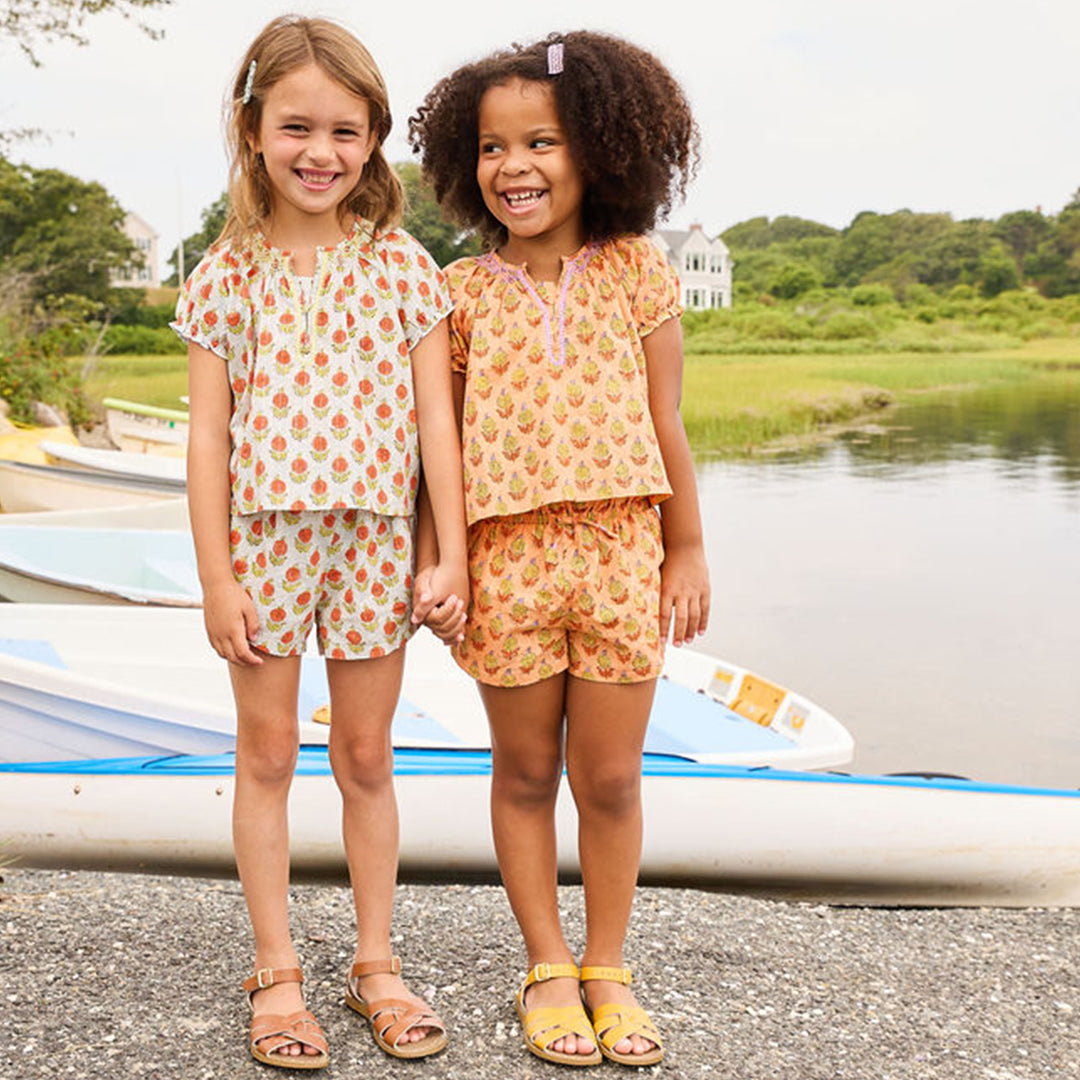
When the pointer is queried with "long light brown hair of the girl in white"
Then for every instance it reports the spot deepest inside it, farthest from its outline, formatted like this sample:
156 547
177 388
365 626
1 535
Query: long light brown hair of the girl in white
286 45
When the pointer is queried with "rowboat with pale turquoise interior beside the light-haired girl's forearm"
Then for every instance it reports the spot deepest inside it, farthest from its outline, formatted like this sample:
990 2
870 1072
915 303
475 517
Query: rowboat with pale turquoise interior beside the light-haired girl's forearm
69 564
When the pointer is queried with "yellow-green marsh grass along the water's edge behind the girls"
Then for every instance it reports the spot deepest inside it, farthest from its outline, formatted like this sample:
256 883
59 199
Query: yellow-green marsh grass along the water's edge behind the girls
734 403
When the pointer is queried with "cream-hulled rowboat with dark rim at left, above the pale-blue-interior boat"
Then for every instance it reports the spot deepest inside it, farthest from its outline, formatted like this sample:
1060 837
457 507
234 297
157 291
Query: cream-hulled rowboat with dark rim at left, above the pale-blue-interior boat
31 489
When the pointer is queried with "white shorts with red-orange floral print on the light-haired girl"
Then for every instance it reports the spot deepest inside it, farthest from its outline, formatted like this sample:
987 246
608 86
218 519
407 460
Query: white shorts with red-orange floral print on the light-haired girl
347 572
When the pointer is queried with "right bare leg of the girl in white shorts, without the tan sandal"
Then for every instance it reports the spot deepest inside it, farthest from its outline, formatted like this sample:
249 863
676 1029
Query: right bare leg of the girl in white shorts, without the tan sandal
363 697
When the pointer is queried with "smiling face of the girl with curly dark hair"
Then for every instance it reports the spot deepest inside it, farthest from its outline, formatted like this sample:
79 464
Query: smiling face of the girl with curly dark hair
526 174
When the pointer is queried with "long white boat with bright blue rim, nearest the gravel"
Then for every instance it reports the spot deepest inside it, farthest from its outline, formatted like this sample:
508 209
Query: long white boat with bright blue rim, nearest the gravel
822 838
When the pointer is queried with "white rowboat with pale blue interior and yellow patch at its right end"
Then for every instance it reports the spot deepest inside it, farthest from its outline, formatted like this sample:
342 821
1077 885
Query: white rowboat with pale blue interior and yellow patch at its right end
88 682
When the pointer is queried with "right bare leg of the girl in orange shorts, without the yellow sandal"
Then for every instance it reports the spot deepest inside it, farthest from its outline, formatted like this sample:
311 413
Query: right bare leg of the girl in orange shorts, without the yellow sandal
605 734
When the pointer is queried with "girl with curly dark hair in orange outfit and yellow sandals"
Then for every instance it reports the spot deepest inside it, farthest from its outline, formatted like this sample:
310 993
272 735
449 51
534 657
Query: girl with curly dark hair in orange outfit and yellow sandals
585 534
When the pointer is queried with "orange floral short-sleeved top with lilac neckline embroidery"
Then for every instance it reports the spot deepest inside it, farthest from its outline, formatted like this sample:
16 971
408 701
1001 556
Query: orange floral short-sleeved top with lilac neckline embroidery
557 406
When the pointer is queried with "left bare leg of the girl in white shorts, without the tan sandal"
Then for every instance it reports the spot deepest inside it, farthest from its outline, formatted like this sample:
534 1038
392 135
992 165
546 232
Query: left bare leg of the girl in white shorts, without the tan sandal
266 758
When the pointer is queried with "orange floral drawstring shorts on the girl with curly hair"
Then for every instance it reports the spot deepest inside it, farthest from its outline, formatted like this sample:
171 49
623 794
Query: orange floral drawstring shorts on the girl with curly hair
570 587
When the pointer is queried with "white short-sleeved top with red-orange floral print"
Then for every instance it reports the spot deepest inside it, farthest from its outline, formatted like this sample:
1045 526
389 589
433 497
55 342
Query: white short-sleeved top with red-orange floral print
323 415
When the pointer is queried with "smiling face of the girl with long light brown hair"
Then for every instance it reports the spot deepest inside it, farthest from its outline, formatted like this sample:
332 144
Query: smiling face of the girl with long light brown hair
316 139
